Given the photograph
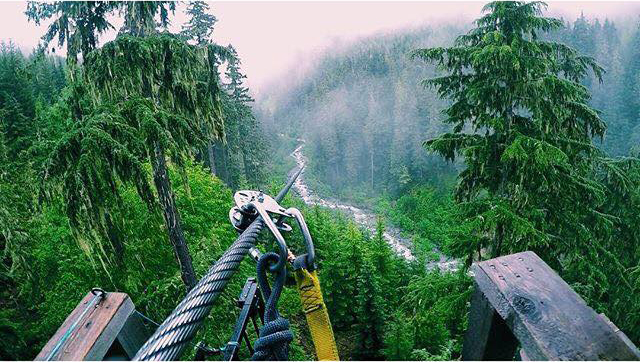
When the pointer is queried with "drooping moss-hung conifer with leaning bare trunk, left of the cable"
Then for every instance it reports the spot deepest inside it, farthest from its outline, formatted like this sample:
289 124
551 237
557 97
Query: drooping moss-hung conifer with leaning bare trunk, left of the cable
141 98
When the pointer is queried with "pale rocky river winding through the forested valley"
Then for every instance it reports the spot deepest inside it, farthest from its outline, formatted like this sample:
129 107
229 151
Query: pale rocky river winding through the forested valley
365 218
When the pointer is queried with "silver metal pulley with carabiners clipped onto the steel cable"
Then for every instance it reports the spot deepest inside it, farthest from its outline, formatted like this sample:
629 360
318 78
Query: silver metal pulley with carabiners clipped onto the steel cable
251 204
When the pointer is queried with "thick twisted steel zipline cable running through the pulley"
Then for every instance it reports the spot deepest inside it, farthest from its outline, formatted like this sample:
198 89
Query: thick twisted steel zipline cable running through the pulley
173 335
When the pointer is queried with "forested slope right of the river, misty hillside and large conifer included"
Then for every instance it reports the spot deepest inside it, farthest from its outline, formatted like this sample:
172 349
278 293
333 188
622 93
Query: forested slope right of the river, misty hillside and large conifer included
365 111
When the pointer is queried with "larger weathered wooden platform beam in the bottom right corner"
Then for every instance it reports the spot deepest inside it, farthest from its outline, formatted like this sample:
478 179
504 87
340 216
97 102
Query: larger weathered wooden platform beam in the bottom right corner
519 301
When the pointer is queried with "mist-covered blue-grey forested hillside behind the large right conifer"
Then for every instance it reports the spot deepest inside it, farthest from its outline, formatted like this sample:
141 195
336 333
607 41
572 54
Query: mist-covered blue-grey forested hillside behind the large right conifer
365 113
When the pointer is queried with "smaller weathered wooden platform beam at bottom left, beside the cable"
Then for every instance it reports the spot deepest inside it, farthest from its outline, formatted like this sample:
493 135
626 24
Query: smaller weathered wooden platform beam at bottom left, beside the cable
110 329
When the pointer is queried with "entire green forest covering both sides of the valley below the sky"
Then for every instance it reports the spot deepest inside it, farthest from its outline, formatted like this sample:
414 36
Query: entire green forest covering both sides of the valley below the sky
118 164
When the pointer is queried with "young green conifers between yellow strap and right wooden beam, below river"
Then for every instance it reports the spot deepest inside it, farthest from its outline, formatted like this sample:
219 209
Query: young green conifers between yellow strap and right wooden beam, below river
375 299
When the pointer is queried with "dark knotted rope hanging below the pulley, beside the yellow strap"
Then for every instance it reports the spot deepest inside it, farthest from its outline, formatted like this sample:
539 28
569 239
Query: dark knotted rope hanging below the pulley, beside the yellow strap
275 336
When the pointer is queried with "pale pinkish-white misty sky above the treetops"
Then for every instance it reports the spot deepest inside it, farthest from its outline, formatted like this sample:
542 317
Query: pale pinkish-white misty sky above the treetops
275 37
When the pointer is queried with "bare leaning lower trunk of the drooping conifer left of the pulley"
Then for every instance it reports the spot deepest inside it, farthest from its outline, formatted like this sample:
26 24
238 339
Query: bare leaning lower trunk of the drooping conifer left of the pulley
172 218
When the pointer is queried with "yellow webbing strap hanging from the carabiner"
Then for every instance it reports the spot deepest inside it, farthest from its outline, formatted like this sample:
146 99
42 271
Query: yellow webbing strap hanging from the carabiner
317 317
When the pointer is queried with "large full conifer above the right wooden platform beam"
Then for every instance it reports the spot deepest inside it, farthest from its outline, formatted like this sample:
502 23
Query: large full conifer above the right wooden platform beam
529 156
